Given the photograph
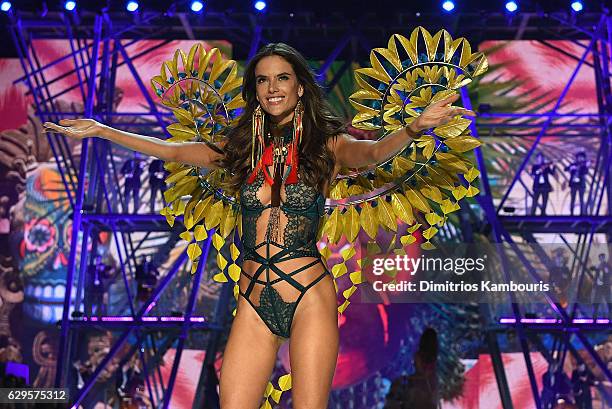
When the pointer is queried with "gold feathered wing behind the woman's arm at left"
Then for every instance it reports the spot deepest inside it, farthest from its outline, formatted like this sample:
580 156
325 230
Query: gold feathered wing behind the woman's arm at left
202 89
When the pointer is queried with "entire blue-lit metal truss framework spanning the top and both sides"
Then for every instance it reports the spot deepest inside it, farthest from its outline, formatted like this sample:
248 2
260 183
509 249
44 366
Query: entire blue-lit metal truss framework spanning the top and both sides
97 200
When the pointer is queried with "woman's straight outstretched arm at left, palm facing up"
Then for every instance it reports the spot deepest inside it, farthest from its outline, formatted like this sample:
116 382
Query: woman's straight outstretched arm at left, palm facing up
192 153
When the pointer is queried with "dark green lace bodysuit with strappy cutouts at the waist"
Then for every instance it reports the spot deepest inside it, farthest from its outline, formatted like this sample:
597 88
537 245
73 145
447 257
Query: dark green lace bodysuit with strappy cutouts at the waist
277 274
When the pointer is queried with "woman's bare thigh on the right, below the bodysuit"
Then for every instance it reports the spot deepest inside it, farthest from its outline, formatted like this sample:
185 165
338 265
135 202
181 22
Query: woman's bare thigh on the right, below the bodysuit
313 348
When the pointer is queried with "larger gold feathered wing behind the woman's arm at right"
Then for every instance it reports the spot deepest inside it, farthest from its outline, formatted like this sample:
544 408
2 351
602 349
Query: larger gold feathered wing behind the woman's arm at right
420 185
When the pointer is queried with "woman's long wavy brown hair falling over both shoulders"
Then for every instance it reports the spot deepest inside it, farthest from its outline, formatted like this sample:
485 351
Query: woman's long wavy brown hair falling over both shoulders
320 124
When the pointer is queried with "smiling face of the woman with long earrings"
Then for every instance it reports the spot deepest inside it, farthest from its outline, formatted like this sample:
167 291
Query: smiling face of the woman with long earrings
277 88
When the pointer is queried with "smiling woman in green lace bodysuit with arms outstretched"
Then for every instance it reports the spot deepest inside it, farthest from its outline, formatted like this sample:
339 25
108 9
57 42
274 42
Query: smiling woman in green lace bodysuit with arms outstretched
281 207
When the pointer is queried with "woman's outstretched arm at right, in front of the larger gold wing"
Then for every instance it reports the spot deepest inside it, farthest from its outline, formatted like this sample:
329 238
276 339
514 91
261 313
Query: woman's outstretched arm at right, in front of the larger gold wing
353 153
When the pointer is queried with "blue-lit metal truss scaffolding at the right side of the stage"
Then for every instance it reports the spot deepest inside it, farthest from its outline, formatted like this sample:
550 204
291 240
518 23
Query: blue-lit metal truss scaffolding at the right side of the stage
564 327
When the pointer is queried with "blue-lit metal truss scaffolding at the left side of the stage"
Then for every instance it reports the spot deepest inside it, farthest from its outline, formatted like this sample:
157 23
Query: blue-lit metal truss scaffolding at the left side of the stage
96 194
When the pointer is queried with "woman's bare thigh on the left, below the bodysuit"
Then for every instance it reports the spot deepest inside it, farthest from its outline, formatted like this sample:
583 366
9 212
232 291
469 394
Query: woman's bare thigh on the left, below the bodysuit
248 360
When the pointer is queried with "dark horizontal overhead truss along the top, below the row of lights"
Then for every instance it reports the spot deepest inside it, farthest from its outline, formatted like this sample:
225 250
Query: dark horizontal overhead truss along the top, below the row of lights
316 33
